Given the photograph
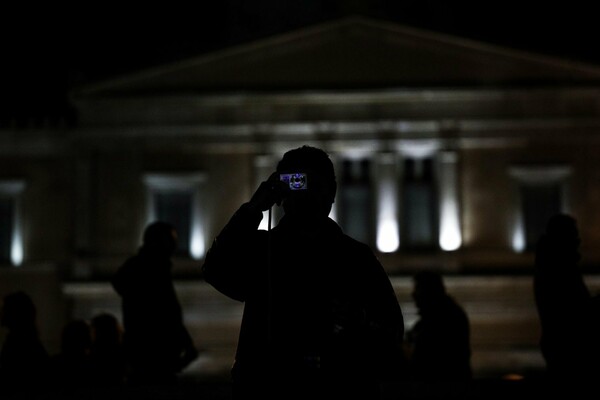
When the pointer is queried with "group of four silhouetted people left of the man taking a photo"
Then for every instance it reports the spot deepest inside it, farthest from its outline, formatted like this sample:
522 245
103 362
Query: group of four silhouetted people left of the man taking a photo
150 348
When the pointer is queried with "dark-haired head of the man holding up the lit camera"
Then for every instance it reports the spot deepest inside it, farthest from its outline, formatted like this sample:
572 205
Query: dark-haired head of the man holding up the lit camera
321 184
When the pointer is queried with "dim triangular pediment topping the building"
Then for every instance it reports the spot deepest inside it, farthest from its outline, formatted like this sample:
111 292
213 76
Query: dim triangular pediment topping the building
350 53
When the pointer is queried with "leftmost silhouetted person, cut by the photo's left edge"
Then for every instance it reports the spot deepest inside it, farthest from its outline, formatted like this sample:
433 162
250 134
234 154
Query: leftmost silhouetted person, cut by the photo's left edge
23 357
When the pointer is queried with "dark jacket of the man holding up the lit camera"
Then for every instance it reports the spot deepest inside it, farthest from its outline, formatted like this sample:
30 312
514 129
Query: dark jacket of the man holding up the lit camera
317 302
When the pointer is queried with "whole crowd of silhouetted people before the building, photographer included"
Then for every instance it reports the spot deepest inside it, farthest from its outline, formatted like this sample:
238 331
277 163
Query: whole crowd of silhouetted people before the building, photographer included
320 313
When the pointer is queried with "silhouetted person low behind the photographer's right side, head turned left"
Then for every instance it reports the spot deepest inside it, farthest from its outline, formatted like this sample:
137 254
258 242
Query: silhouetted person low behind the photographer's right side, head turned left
438 347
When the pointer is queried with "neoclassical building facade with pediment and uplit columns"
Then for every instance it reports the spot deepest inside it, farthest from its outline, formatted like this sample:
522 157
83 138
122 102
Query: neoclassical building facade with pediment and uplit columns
450 154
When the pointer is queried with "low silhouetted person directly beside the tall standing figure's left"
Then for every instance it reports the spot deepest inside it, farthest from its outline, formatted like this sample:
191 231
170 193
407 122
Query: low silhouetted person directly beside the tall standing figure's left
107 353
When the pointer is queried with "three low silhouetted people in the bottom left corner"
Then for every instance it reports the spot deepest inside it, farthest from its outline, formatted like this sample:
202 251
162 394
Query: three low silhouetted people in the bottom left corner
87 357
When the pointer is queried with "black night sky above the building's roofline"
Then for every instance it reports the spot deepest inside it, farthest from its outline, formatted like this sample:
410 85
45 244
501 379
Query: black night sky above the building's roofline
47 51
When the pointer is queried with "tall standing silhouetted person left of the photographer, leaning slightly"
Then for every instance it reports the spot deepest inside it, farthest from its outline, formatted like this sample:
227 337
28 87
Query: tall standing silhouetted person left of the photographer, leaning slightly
157 343
